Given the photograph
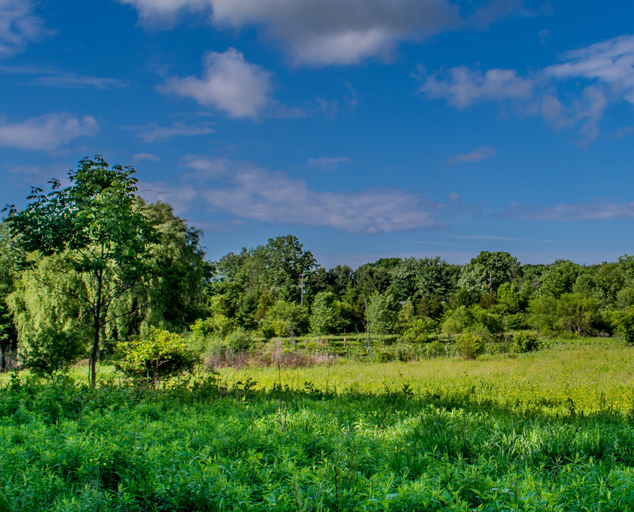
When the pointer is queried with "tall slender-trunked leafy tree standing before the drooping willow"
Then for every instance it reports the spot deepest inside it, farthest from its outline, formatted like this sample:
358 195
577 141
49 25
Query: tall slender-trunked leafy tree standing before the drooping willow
99 229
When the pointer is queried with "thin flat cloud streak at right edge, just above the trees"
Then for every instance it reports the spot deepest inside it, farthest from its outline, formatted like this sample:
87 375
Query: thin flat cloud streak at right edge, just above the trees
571 212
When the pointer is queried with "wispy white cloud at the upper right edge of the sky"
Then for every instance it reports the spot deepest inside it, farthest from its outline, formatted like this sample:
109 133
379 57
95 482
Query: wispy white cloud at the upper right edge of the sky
608 66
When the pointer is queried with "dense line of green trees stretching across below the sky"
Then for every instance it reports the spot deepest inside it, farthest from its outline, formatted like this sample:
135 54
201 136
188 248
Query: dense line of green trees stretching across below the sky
92 264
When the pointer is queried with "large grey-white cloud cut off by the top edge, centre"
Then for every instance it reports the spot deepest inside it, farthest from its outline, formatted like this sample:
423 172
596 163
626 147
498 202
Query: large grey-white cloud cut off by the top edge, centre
325 32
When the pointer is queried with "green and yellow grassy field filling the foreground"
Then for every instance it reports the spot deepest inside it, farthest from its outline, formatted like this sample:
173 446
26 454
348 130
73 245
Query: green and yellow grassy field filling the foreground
551 430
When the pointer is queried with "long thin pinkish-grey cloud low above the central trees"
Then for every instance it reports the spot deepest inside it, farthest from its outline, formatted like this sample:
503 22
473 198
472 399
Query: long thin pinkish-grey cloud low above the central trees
249 192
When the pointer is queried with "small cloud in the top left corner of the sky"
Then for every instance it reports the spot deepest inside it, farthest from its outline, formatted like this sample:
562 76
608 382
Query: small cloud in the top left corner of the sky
18 26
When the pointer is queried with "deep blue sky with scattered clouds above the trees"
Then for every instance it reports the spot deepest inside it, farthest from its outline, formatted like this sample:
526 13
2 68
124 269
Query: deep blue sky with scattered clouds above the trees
368 128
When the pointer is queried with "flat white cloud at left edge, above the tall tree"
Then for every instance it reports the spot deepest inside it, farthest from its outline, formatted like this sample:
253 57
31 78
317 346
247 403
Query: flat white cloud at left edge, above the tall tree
47 132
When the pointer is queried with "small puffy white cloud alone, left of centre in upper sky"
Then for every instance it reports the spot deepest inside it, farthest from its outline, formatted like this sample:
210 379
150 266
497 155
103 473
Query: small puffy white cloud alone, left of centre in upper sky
229 83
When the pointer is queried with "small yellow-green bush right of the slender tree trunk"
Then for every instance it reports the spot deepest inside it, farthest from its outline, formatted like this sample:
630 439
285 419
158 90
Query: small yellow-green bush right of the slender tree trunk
160 355
